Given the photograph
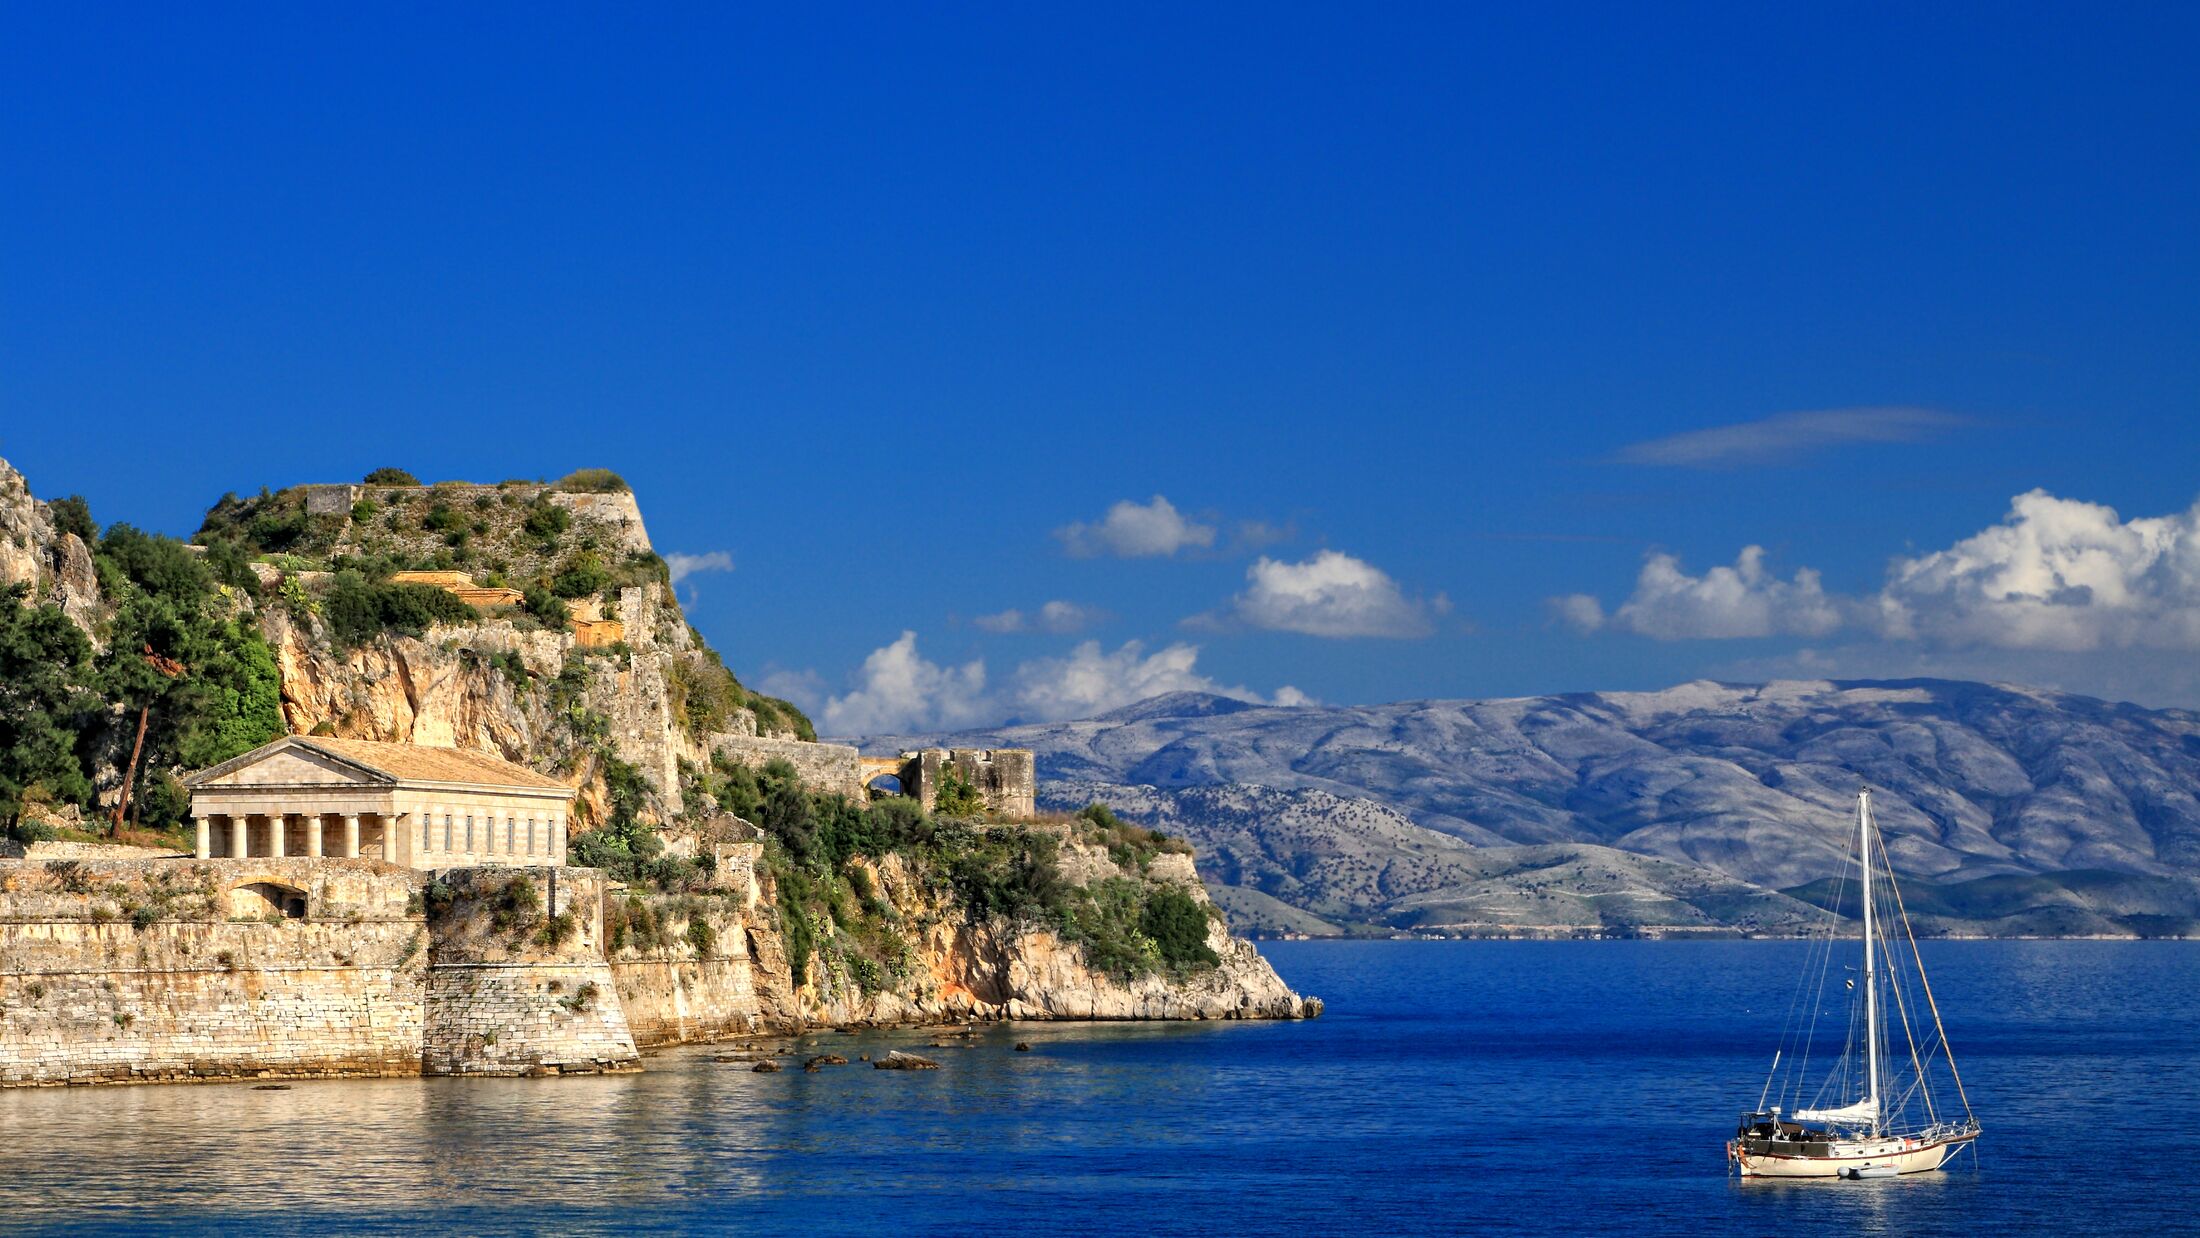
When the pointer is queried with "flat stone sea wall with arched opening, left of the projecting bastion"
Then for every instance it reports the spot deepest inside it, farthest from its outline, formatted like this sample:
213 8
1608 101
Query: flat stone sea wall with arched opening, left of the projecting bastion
170 971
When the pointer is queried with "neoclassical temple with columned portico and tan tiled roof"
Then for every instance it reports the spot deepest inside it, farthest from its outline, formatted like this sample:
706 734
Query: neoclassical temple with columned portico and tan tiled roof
408 804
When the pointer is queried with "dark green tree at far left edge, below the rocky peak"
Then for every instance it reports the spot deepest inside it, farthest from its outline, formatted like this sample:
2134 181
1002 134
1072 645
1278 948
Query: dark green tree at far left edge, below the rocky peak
43 705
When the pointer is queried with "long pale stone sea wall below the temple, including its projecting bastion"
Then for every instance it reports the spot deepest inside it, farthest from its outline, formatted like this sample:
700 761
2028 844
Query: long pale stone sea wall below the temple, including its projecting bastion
137 971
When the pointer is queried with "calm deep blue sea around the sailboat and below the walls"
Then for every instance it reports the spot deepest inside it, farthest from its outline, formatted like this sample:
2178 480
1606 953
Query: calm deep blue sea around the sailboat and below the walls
1451 1087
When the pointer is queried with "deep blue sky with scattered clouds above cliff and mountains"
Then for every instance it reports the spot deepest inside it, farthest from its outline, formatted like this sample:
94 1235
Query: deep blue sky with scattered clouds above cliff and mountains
1407 316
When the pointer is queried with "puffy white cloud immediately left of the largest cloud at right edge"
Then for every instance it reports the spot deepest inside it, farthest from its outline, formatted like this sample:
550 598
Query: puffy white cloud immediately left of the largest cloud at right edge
1726 601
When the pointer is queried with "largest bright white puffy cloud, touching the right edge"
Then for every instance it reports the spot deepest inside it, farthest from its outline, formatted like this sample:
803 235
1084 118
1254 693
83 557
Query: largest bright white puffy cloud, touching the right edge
2054 575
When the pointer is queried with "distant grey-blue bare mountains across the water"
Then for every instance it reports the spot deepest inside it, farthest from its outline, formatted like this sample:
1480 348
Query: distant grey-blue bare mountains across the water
1387 815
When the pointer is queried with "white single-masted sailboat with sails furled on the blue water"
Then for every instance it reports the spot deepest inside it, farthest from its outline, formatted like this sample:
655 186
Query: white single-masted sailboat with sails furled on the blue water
1871 1114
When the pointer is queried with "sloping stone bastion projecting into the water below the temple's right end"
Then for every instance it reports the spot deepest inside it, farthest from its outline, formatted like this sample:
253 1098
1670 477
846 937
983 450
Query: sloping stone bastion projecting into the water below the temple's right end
518 984
